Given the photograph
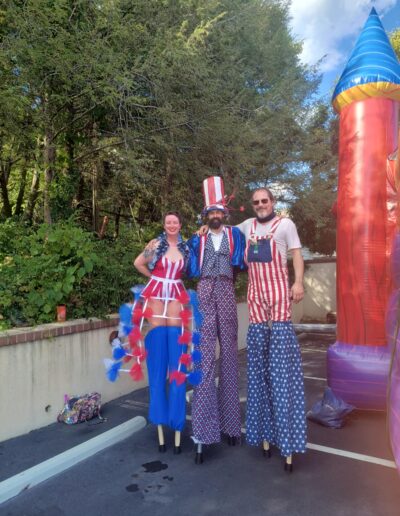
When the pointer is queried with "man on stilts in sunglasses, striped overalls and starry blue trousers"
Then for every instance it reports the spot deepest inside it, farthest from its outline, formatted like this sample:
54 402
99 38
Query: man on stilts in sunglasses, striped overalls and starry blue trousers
275 400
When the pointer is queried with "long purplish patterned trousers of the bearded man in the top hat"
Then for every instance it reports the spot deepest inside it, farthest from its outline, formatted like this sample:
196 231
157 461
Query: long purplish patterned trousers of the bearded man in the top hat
217 410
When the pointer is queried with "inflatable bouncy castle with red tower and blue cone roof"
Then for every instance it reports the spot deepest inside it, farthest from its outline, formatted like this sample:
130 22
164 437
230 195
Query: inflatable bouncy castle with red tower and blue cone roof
367 99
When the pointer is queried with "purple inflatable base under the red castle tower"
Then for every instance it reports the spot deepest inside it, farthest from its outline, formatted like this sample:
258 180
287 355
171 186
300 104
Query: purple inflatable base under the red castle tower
358 374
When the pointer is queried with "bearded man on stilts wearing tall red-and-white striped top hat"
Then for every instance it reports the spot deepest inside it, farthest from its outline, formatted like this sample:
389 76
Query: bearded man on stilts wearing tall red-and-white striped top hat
216 410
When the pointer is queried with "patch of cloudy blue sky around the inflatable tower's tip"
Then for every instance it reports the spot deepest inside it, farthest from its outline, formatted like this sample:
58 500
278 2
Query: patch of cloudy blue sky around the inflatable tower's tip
330 28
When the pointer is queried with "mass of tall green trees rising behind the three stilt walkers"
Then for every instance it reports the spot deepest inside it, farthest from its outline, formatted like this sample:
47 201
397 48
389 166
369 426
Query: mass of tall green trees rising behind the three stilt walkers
118 108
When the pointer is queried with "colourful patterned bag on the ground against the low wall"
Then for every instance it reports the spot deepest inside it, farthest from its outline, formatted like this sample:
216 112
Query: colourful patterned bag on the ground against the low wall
79 409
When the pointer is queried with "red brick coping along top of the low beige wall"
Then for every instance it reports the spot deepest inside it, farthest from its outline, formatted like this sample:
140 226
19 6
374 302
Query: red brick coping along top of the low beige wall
52 330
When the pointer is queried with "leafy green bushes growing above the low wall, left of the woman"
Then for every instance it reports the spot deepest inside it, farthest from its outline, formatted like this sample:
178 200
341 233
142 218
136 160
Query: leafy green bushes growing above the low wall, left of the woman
64 264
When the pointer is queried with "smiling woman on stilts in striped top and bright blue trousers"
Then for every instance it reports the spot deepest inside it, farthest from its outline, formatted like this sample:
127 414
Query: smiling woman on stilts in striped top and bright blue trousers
163 262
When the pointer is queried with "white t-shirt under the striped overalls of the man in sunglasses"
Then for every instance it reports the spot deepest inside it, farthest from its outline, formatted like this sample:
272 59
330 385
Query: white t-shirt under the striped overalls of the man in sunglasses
285 235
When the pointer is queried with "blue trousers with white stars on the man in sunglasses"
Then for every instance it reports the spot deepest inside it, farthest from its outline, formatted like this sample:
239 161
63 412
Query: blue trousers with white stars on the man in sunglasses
275 398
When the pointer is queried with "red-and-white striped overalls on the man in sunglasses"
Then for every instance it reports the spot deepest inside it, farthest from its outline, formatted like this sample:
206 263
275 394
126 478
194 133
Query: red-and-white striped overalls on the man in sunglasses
268 293
